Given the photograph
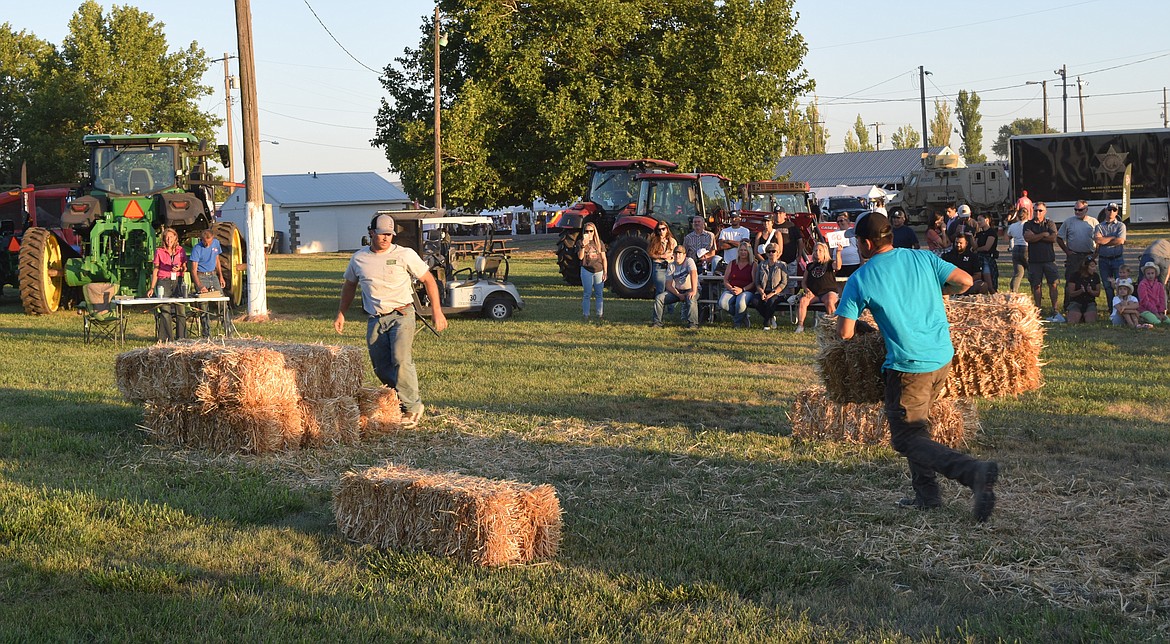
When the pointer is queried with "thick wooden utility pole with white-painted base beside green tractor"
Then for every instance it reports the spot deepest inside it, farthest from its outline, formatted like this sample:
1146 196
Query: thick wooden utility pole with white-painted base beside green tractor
254 182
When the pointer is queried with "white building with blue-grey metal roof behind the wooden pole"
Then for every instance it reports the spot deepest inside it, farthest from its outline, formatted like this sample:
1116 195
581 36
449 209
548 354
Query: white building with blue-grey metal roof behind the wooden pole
320 213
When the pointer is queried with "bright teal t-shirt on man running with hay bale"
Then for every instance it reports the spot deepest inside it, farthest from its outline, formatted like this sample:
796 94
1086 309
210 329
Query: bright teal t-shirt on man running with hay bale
904 291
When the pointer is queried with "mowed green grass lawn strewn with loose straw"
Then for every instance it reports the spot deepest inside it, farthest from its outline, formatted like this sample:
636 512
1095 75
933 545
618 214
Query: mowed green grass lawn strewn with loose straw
690 512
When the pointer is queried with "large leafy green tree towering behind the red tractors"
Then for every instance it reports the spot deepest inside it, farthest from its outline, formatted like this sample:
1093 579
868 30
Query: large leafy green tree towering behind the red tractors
532 91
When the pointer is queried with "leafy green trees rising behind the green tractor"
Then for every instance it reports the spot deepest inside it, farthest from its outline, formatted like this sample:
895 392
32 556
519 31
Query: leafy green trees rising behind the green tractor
113 74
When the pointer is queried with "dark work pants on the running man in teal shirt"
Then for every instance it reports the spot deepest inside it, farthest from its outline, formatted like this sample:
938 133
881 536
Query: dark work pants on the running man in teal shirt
909 398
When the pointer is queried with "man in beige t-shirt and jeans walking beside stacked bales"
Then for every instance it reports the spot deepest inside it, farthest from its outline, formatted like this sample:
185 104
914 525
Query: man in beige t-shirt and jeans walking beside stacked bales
387 275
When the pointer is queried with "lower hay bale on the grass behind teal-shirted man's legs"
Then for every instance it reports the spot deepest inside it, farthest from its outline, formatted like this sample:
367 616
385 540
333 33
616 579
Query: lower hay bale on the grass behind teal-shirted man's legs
815 416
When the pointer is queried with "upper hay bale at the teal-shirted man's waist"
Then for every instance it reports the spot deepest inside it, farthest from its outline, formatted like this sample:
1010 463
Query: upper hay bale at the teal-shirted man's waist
997 341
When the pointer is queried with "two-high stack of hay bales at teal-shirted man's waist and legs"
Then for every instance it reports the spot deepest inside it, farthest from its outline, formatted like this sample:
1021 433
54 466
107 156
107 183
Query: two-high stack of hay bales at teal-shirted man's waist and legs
997 341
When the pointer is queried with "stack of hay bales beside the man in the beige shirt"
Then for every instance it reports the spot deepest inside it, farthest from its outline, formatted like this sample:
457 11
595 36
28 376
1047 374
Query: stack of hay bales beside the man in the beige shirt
246 396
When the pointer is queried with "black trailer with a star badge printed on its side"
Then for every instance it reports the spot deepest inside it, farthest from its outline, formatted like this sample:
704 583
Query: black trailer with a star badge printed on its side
1062 169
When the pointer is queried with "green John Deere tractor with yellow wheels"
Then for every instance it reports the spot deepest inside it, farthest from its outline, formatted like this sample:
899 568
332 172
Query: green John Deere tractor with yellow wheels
137 184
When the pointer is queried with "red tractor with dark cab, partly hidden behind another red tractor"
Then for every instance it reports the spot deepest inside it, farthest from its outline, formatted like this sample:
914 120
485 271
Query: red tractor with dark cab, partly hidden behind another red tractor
612 188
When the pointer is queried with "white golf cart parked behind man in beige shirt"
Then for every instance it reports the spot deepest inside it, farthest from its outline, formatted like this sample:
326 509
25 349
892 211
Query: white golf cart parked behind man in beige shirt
481 287
